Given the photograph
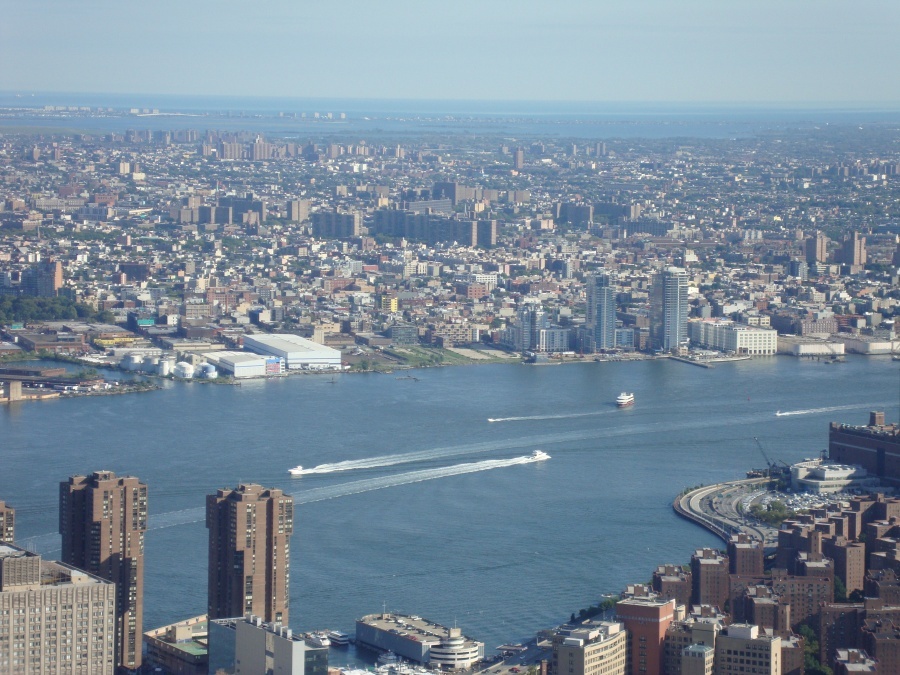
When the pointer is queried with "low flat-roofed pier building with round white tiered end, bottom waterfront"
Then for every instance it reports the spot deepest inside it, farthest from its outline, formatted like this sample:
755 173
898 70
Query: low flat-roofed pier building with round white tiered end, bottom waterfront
420 640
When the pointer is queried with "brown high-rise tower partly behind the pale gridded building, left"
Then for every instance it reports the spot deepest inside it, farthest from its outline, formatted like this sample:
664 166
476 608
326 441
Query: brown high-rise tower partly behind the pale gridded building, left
102 520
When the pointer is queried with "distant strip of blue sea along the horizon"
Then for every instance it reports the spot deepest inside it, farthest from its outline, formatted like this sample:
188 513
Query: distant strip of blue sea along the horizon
405 118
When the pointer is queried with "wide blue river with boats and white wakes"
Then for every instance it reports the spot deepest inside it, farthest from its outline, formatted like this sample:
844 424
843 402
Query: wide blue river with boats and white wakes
421 504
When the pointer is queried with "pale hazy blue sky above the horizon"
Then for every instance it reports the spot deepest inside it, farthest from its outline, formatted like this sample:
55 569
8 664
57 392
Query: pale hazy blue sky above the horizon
757 51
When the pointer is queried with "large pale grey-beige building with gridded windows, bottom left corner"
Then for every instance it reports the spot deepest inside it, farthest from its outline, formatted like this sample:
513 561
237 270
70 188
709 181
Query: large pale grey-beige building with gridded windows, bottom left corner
54 618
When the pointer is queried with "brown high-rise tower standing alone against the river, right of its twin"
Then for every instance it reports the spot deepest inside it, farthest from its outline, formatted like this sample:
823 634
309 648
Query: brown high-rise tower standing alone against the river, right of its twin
249 552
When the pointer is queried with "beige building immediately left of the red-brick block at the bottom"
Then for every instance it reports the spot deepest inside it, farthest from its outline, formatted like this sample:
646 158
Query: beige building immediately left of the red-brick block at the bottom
595 648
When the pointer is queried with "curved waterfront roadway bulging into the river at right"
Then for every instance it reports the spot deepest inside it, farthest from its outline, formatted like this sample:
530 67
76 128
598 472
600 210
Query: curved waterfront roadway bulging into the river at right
715 507
